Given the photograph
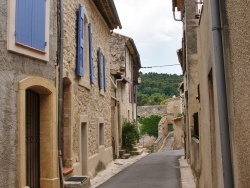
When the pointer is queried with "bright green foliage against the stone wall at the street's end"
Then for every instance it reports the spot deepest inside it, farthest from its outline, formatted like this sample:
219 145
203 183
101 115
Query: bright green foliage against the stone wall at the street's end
149 125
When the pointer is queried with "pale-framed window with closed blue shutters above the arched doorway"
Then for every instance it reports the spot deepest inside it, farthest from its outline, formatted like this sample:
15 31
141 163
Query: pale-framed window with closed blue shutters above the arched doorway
28 28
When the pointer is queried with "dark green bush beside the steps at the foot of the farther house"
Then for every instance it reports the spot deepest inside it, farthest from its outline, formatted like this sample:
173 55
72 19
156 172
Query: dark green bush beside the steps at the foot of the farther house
130 135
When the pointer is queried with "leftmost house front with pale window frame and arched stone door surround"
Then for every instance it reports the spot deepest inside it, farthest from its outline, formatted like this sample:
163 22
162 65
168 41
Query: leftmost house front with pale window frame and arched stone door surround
19 72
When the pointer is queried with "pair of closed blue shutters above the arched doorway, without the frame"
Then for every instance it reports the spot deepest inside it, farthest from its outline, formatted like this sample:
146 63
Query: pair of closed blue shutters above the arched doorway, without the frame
30 23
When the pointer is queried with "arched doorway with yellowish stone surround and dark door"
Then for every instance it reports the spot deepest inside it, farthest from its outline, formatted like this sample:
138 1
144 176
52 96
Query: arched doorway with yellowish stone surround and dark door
37 133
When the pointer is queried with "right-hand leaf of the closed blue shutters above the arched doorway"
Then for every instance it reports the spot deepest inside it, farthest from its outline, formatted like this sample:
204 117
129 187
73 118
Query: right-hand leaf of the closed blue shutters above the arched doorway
38 24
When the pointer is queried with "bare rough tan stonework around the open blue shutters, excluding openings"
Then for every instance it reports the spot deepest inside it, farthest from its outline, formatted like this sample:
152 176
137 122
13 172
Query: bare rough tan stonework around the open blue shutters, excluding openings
88 100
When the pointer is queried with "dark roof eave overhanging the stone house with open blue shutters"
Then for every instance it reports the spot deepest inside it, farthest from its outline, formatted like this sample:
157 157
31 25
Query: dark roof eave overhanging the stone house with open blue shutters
109 13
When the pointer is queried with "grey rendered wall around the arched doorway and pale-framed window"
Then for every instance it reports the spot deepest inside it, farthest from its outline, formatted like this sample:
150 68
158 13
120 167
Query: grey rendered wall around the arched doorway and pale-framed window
14 68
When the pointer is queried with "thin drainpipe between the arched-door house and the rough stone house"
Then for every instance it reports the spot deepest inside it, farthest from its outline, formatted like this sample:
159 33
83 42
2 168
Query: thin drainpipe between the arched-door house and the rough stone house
60 95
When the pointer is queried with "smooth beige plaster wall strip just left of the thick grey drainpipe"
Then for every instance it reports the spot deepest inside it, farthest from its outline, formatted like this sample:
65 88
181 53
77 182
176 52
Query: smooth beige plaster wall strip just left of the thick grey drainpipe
211 174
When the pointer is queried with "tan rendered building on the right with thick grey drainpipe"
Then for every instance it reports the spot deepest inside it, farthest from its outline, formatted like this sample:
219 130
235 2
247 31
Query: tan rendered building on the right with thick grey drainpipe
222 46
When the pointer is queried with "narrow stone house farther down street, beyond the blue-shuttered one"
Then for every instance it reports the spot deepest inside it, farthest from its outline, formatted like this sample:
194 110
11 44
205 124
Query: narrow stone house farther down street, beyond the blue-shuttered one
124 73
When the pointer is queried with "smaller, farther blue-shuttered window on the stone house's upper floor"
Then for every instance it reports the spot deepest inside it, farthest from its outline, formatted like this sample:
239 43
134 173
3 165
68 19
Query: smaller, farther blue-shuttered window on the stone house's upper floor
101 70
